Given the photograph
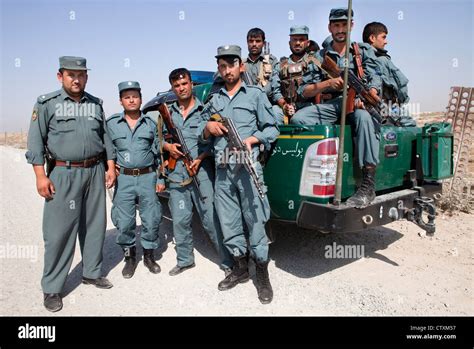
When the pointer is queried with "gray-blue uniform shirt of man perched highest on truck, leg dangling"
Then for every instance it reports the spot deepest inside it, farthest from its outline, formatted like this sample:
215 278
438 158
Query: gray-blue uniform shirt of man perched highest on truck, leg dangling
369 64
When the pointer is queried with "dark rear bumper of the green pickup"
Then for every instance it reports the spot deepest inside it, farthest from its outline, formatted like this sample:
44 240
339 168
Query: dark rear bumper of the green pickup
385 209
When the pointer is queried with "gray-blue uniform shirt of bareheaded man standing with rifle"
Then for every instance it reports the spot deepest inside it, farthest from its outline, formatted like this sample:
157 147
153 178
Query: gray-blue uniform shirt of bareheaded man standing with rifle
190 128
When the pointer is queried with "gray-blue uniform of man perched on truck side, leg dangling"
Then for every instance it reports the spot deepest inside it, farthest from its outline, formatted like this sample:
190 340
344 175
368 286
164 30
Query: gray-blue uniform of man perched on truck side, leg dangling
366 134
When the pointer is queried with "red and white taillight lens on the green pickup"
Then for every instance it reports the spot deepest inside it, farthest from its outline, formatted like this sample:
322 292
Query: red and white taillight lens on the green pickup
318 177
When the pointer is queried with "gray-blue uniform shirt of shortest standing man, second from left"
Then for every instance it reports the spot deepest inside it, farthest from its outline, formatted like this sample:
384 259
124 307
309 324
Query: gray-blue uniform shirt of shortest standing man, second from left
137 148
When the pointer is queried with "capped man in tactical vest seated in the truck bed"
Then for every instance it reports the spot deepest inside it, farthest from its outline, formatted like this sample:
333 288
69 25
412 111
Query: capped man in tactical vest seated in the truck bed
289 75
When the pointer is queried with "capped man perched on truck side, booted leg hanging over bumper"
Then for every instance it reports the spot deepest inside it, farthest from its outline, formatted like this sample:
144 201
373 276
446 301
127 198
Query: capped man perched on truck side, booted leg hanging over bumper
367 136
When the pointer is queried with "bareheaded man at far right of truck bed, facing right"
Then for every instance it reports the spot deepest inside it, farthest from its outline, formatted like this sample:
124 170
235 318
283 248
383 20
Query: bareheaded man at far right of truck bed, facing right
394 82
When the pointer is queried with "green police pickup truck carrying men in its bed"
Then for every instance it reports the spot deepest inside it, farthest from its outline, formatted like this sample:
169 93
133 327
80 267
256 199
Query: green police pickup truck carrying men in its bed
301 172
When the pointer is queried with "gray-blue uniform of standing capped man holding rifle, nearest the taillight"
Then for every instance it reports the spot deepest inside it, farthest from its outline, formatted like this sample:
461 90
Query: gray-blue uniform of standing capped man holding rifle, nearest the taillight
235 194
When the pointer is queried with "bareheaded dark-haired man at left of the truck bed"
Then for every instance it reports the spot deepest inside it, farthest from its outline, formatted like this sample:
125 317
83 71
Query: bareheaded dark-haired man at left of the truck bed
260 65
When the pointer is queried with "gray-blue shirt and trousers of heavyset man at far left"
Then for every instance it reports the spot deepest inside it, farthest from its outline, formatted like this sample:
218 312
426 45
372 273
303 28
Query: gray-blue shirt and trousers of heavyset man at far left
72 131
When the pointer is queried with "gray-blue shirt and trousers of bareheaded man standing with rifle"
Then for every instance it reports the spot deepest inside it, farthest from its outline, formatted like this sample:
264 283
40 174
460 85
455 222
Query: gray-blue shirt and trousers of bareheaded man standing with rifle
184 198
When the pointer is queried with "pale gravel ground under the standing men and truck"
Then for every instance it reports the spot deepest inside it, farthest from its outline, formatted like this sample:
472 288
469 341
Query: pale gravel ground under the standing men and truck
401 273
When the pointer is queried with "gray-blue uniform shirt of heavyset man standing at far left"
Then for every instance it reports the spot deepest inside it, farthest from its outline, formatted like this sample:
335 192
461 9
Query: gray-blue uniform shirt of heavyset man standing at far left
72 131
